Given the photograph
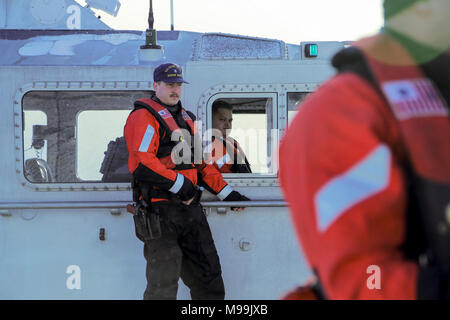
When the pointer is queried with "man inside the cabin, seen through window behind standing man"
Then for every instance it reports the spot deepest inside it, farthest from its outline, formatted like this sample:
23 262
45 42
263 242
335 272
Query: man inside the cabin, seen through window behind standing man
226 153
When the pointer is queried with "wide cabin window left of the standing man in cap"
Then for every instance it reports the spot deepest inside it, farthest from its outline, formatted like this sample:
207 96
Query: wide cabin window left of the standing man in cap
76 136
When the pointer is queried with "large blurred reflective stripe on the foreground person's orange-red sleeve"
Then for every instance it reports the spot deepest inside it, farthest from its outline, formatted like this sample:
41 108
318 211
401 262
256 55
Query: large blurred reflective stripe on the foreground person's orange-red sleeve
363 180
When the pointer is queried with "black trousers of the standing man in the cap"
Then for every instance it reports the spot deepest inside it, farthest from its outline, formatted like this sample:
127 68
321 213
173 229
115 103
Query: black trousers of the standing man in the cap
185 249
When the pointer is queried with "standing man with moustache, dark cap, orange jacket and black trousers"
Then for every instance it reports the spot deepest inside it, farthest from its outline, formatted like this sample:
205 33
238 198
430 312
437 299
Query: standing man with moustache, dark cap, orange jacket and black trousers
166 178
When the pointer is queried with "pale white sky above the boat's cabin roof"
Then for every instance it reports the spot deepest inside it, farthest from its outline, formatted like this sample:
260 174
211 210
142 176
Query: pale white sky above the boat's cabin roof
292 21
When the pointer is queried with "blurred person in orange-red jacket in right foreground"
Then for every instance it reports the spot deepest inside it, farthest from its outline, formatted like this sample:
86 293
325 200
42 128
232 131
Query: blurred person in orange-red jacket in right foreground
365 163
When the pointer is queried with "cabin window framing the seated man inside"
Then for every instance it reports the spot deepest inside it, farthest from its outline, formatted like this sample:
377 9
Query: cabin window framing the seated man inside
252 127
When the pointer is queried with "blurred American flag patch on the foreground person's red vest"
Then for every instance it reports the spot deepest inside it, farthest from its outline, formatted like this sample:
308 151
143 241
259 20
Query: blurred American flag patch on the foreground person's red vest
414 98
